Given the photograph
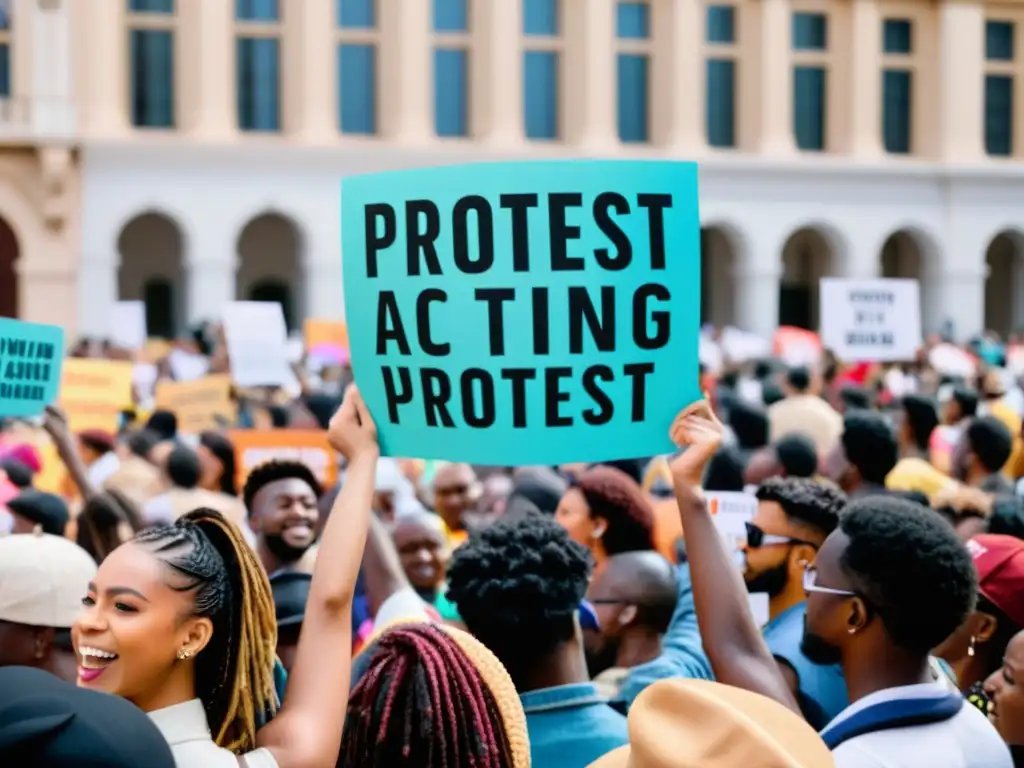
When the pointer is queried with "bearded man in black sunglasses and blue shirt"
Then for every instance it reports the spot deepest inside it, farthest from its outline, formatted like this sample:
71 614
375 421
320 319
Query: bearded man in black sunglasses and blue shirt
795 517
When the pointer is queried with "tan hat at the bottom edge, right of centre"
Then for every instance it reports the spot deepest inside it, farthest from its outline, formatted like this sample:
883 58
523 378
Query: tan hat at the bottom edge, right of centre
699 724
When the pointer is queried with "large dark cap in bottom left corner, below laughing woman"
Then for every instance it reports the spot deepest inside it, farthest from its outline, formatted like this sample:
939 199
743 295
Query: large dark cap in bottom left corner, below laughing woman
48 722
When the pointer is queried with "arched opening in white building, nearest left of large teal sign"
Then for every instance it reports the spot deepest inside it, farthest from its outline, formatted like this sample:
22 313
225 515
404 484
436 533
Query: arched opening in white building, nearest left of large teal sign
270 265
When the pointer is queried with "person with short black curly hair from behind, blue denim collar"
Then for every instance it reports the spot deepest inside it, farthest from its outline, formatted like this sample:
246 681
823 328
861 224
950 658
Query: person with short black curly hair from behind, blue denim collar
519 586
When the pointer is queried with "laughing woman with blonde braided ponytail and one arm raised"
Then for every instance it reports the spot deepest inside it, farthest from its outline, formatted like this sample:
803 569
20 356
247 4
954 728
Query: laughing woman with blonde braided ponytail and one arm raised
181 622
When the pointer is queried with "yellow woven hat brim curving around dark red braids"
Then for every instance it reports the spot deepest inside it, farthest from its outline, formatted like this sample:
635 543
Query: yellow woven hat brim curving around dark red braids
492 672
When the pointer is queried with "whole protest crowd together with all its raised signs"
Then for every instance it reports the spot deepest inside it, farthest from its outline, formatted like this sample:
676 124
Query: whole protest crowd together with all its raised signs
521 509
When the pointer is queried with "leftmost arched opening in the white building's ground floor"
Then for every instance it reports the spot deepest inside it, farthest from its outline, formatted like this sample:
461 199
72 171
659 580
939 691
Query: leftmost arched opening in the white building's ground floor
152 271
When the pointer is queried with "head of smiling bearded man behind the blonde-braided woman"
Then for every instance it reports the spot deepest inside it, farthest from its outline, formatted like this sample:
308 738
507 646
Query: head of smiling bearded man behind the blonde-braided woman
281 498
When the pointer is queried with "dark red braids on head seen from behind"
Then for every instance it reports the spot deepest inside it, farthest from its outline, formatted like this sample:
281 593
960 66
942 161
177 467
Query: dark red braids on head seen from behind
422 703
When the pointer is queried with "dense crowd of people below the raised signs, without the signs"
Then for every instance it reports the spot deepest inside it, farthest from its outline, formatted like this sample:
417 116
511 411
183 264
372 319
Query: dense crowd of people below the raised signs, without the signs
162 613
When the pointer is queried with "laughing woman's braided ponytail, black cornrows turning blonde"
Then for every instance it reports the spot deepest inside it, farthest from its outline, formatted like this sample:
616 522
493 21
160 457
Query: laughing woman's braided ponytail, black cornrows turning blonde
235 672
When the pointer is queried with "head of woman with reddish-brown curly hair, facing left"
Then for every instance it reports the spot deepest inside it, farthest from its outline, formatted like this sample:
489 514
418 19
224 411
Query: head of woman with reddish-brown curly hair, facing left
607 511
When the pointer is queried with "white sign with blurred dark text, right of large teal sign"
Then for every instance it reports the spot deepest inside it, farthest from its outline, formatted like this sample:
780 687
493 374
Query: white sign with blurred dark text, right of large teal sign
871 320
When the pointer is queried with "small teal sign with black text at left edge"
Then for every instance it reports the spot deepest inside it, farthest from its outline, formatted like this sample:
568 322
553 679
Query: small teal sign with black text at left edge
30 367
